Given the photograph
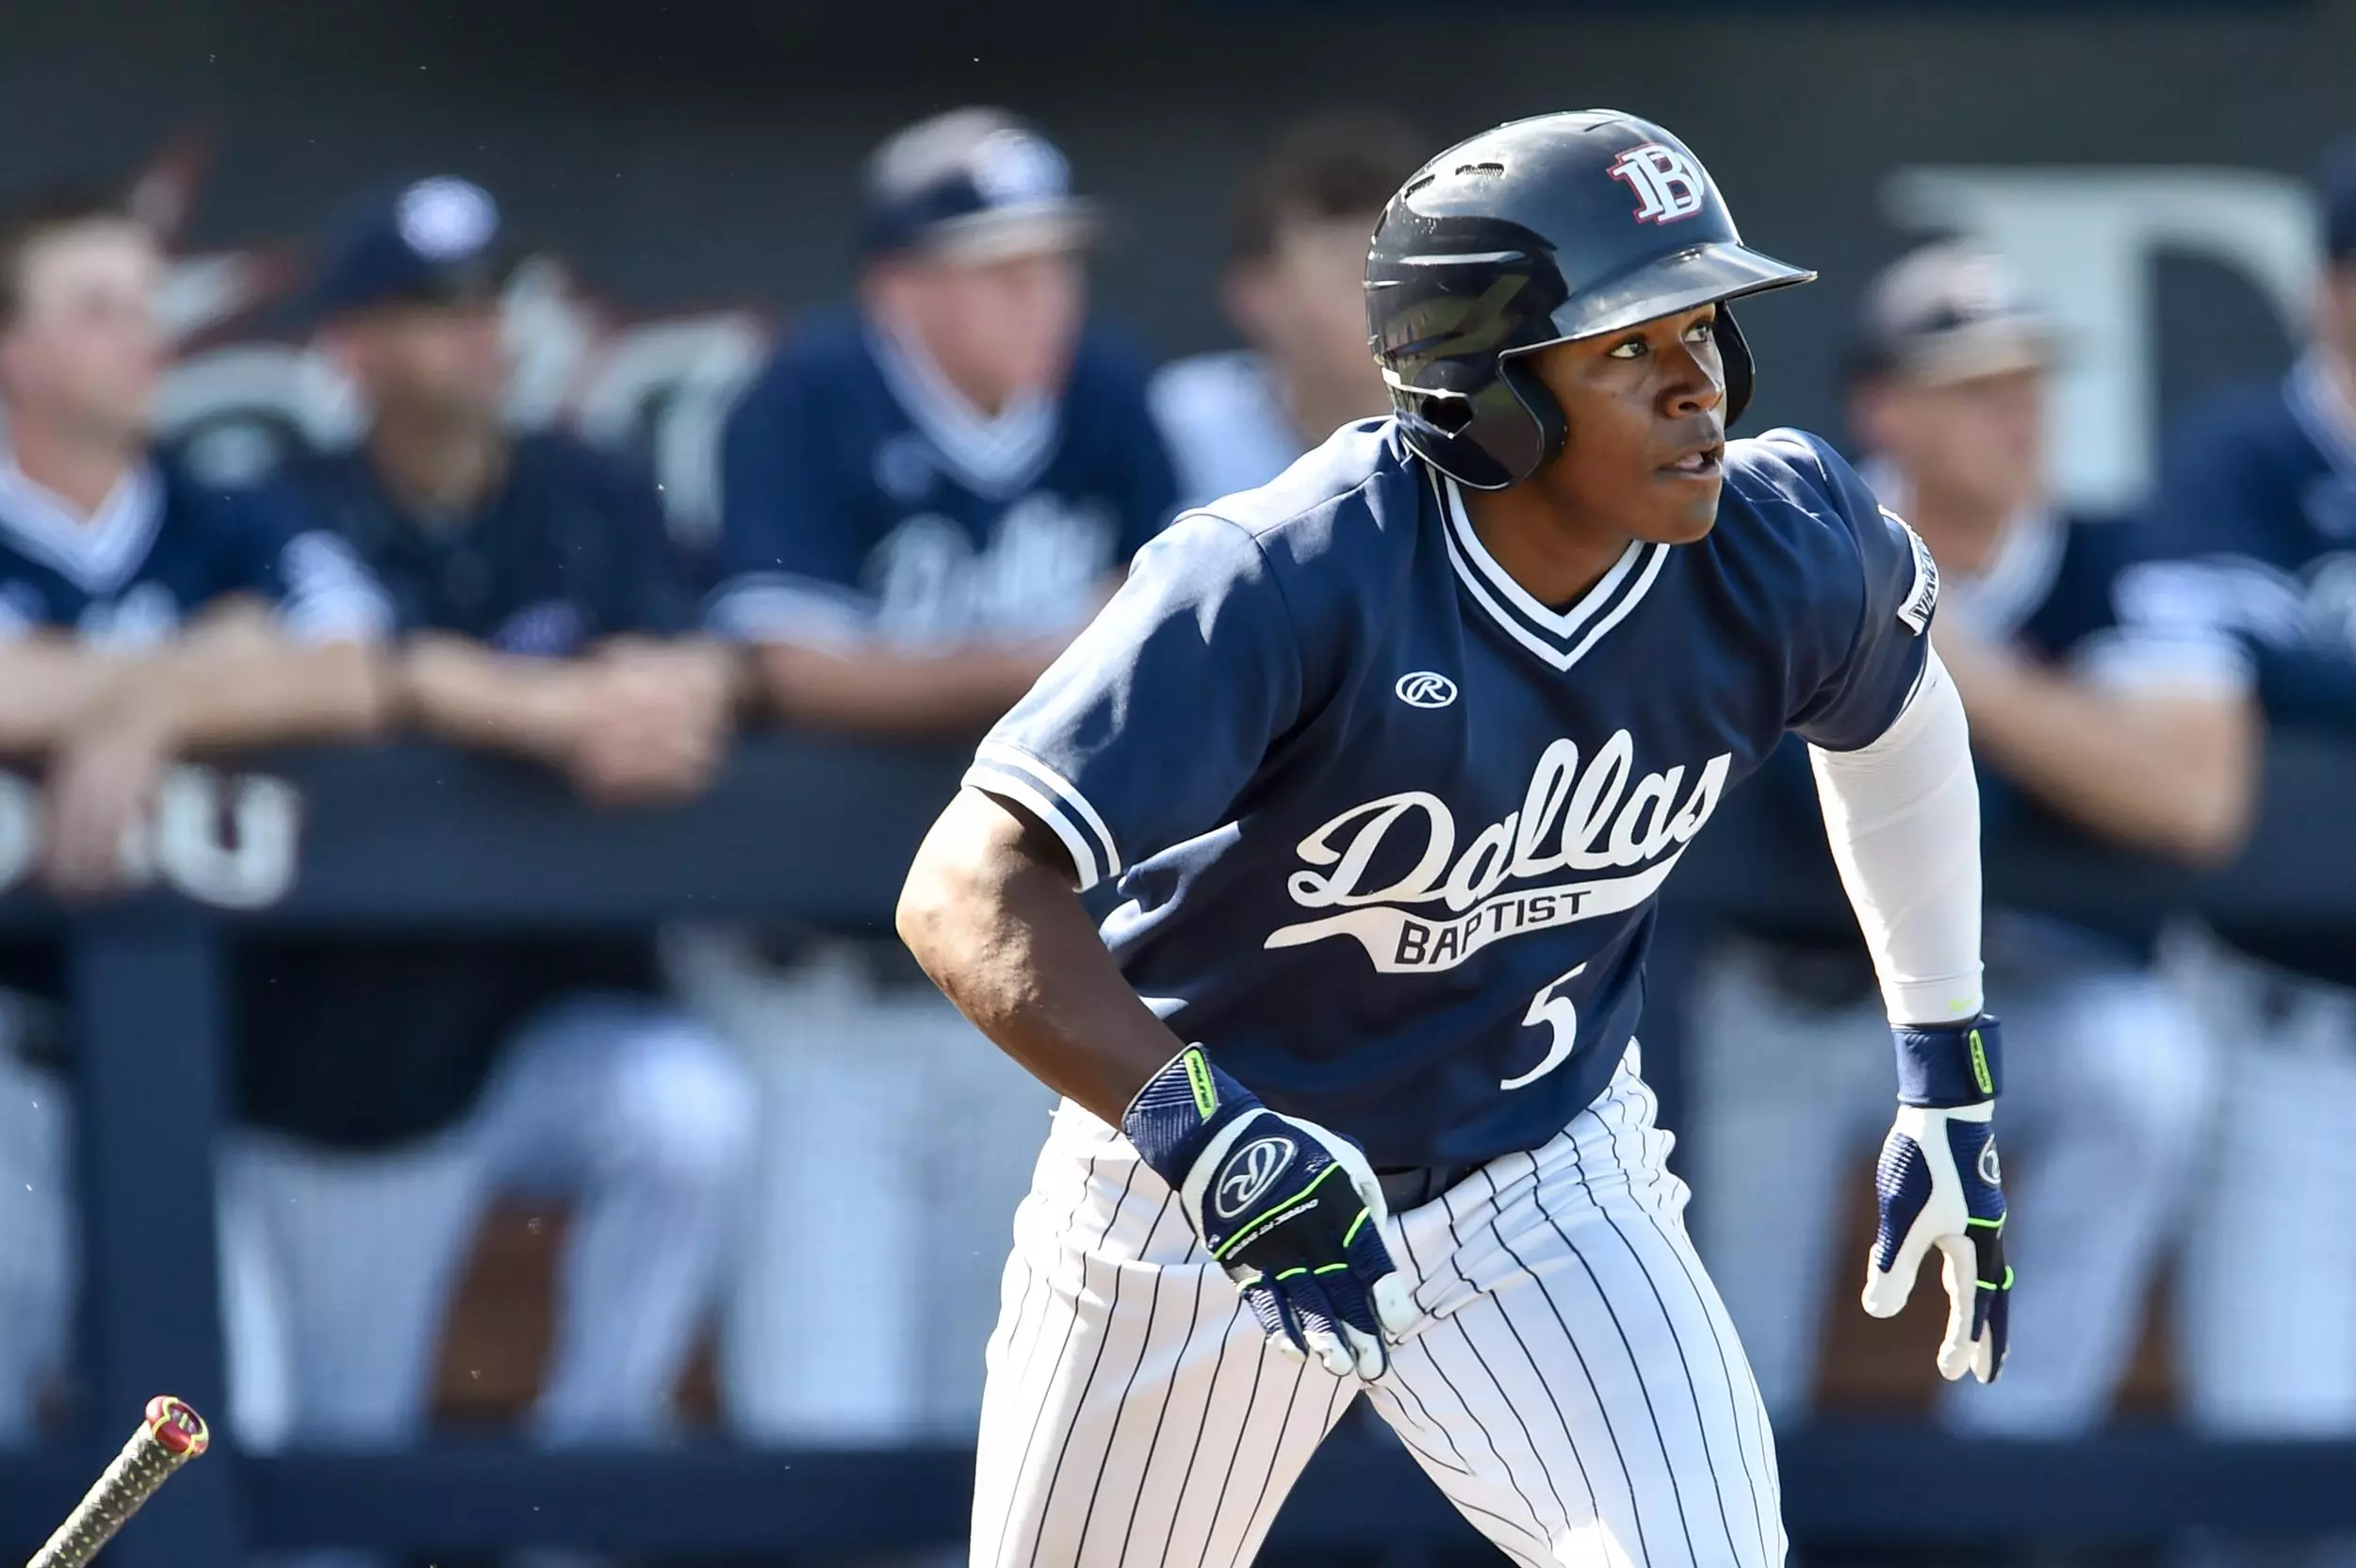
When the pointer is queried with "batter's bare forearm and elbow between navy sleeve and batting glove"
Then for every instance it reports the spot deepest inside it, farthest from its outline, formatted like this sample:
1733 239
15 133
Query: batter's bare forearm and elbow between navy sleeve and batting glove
991 915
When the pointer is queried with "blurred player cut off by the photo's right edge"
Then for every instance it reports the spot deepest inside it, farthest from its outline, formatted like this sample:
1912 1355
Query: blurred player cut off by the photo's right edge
2258 498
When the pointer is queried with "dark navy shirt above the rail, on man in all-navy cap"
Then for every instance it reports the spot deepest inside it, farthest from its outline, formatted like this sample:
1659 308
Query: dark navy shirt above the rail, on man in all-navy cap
571 550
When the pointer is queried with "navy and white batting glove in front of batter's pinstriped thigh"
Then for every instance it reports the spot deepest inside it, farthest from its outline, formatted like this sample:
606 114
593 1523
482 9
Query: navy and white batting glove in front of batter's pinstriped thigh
1288 1209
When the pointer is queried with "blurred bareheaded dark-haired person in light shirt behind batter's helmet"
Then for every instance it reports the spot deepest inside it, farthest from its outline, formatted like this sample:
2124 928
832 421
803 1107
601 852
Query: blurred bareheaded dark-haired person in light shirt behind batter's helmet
1295 291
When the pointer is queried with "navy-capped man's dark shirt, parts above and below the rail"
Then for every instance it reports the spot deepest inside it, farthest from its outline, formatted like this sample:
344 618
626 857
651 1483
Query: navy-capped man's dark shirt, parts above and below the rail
383 1039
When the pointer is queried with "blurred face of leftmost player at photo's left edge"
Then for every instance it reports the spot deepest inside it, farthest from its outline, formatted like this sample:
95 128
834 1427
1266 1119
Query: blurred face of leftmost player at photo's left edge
86 347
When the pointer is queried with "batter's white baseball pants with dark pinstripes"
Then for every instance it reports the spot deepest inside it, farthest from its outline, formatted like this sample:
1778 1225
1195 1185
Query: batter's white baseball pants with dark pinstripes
1575 1386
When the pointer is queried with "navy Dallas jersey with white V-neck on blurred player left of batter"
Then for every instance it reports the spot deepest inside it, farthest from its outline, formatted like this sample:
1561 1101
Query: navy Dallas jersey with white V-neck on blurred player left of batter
866 500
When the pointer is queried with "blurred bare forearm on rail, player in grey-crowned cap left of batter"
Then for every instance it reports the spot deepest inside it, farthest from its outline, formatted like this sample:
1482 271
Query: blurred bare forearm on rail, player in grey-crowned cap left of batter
892 693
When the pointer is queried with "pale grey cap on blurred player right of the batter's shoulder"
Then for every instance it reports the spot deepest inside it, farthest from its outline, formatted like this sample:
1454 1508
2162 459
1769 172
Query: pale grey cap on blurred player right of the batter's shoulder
1950 312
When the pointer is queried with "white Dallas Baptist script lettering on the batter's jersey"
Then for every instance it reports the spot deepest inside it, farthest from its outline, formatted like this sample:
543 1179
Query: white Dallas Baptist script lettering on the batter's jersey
1596 818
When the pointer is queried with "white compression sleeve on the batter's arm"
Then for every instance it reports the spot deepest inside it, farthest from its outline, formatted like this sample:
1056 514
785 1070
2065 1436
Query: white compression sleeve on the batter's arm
1905 825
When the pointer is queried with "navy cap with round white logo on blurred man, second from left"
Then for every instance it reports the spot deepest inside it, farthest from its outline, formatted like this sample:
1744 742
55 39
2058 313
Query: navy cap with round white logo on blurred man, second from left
432 241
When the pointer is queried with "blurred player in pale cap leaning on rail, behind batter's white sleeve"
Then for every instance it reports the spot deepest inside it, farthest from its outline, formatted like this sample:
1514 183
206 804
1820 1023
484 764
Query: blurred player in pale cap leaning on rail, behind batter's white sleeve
2143 740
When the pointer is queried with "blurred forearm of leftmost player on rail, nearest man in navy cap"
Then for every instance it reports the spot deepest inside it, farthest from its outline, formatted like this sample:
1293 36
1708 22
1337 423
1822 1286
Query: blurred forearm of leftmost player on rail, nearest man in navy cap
249 693
